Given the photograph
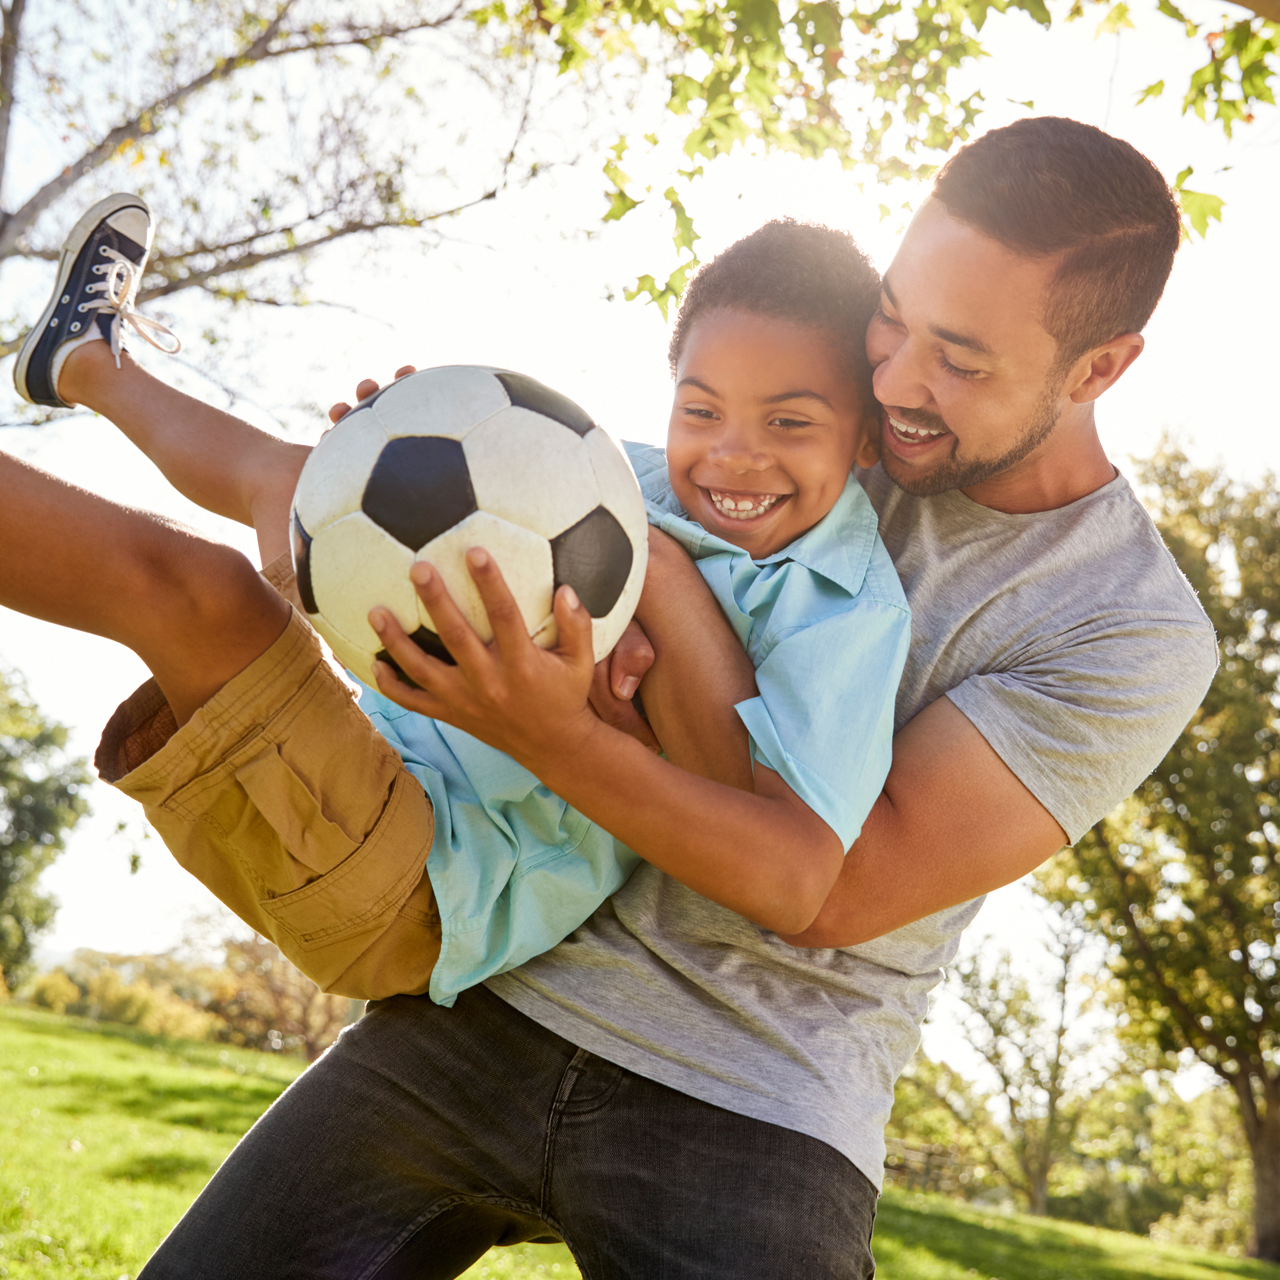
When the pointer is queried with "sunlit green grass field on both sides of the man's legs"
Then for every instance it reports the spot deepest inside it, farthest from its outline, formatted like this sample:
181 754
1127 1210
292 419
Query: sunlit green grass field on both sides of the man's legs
107 1136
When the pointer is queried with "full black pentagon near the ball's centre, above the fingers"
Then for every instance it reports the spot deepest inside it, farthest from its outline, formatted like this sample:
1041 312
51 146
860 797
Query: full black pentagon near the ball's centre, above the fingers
419 490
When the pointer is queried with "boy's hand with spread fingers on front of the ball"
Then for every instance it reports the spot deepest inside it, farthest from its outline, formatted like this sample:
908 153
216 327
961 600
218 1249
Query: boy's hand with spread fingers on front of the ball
528 702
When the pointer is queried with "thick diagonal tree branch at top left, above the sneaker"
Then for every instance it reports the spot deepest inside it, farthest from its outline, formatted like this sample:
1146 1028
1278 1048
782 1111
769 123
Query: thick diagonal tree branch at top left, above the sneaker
145 121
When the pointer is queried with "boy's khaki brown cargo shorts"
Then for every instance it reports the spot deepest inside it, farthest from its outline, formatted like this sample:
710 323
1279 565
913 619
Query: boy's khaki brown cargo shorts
282 798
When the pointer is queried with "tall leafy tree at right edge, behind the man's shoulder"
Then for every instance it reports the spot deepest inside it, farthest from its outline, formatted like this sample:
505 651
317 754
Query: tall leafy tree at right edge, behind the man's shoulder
1183 881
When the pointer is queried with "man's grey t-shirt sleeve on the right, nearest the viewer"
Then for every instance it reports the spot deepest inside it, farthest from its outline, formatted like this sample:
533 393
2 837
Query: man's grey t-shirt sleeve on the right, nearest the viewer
1084 724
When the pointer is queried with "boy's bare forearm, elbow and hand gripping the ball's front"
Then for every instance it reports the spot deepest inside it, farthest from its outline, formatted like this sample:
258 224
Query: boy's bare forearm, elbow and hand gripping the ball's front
761 853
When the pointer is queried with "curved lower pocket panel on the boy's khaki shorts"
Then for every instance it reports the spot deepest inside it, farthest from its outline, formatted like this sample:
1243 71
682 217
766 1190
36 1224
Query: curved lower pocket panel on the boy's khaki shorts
367 889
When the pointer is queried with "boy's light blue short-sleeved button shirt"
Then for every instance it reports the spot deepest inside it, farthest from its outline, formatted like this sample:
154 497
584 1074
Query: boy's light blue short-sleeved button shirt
515 868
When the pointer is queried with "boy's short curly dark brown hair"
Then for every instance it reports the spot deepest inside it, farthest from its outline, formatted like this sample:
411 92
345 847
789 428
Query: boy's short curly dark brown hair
806 273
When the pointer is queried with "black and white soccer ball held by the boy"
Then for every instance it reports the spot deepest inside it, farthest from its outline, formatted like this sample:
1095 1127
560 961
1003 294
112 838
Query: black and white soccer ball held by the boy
458 458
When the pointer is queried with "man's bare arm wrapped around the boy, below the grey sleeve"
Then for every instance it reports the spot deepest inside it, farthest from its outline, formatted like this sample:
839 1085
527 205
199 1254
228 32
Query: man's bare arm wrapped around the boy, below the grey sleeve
953 821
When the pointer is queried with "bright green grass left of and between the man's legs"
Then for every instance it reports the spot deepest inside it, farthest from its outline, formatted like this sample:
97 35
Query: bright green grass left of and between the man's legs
107 1136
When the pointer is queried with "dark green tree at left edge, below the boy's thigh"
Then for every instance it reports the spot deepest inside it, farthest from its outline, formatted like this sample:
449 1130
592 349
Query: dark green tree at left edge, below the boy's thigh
40 802
